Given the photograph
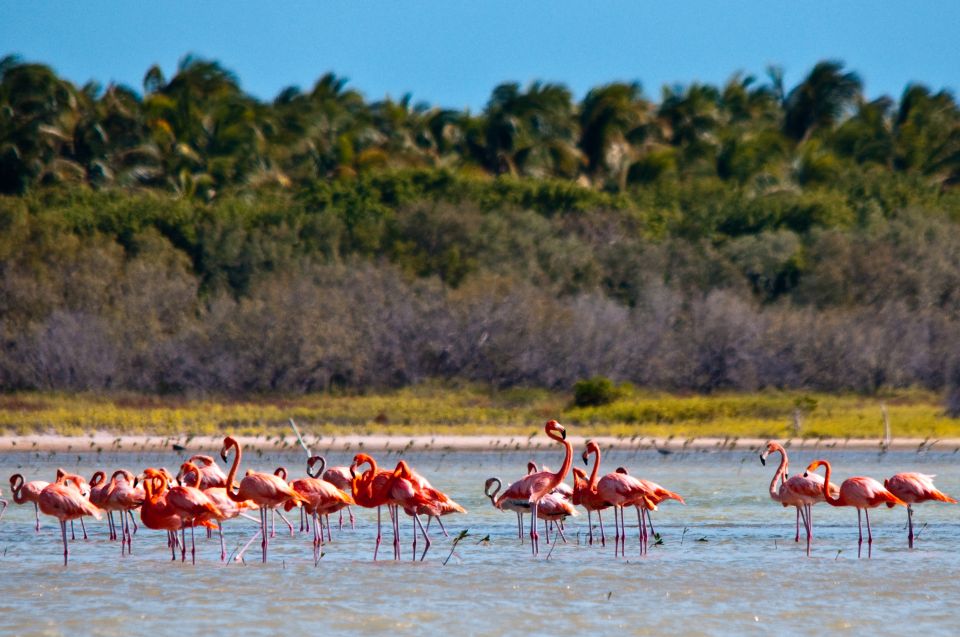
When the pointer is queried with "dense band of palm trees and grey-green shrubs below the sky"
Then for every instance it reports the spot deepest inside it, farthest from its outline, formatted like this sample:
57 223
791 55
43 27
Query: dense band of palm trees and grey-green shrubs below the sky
191 238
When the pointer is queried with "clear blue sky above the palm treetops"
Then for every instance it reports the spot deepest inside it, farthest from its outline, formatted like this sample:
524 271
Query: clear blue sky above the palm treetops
453 53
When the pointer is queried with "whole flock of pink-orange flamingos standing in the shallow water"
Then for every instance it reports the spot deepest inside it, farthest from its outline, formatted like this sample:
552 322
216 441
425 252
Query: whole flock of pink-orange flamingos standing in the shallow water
202 495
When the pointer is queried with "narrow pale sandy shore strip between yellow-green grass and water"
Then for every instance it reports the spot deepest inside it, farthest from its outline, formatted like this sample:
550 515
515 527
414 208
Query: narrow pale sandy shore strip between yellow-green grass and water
210 444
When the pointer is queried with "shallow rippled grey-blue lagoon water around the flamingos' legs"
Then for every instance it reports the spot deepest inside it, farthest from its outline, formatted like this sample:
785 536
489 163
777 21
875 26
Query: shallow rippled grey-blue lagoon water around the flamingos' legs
727 566
